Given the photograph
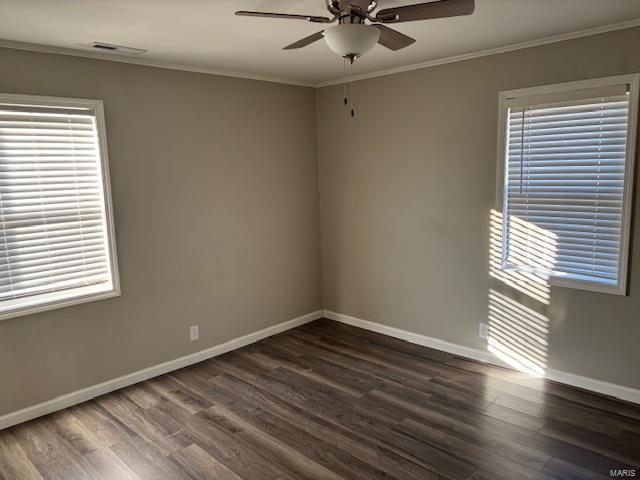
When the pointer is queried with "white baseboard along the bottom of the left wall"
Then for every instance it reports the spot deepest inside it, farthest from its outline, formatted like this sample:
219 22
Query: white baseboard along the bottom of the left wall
88 393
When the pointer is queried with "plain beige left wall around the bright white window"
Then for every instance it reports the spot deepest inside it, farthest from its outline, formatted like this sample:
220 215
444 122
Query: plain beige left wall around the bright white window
214 185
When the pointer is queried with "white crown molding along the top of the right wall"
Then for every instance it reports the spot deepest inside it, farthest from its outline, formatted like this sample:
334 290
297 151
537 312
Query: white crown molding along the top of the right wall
491 51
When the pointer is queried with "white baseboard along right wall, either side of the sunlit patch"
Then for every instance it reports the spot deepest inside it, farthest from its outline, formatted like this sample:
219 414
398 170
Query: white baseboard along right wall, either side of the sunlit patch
591 384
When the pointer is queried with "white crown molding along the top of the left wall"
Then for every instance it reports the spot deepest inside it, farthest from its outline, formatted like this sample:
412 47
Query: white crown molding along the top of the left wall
112 57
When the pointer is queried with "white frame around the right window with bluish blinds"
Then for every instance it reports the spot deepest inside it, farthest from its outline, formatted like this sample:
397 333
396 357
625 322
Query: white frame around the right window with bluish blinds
633 80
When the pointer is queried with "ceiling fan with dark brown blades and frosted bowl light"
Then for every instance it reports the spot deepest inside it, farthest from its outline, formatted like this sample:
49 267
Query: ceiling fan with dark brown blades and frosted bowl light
352 37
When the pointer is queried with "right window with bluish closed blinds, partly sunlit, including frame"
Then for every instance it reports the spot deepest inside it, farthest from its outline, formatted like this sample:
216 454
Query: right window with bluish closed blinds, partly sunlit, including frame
566 155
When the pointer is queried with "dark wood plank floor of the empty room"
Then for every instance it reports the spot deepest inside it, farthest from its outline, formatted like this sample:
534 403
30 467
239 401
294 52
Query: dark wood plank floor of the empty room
329 401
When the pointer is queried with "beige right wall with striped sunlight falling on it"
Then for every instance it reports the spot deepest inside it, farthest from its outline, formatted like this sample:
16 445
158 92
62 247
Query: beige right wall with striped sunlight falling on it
405 207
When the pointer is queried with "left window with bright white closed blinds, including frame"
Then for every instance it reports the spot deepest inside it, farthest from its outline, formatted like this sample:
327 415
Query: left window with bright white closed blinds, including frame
56 240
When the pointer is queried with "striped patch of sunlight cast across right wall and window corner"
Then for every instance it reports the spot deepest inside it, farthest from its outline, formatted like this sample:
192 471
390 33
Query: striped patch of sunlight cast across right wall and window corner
518 325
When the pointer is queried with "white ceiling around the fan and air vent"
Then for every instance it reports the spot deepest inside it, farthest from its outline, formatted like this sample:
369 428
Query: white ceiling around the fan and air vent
205 34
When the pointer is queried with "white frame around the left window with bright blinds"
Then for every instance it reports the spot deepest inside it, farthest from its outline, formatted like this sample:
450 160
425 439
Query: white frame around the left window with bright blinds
78 295
